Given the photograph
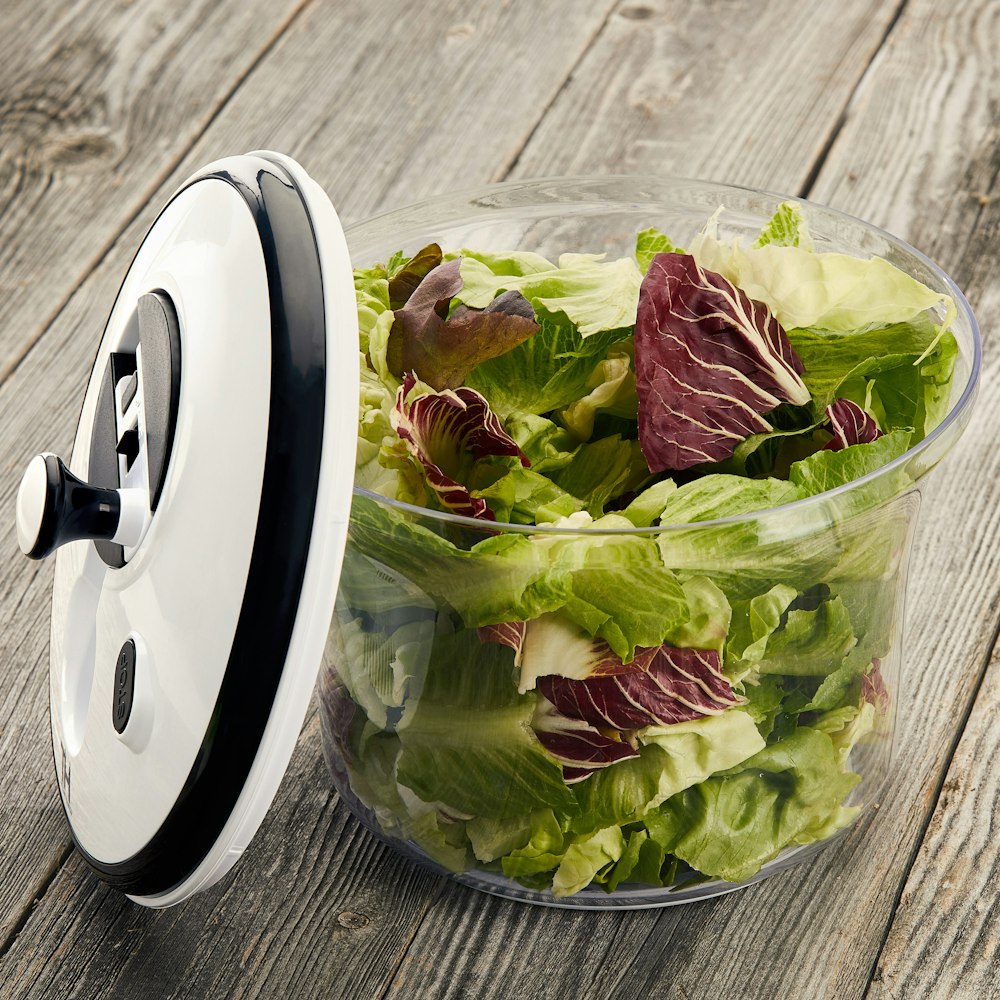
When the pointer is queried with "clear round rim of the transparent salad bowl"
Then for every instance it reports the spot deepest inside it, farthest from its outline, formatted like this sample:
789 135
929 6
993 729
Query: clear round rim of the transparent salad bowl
960 407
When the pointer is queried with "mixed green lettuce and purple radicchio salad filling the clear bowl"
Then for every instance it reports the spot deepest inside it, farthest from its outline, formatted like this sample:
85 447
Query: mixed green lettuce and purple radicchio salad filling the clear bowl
610 669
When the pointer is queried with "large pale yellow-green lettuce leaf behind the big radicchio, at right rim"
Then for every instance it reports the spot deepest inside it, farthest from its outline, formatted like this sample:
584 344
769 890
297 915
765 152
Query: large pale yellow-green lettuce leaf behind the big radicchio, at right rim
828 291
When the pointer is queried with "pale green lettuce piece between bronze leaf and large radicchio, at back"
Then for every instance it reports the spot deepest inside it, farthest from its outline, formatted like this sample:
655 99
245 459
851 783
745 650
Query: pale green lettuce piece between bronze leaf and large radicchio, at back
594 294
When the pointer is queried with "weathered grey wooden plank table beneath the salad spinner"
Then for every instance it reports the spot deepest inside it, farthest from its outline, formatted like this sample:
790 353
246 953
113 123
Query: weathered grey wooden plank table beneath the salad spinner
888 109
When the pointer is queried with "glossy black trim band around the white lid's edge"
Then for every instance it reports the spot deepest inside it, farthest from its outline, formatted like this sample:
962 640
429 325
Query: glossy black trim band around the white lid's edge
281 543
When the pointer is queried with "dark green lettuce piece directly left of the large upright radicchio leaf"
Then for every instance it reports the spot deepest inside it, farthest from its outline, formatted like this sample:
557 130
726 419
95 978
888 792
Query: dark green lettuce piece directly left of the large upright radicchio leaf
548 371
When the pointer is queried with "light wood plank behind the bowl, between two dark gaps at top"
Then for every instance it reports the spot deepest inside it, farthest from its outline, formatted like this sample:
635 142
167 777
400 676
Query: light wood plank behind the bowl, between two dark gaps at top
727 90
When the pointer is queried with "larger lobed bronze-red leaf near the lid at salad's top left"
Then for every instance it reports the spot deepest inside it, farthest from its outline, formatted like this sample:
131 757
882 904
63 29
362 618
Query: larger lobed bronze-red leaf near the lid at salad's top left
443 349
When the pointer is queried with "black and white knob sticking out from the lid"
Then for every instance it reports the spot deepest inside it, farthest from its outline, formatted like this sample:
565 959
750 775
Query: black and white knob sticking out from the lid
55 507
